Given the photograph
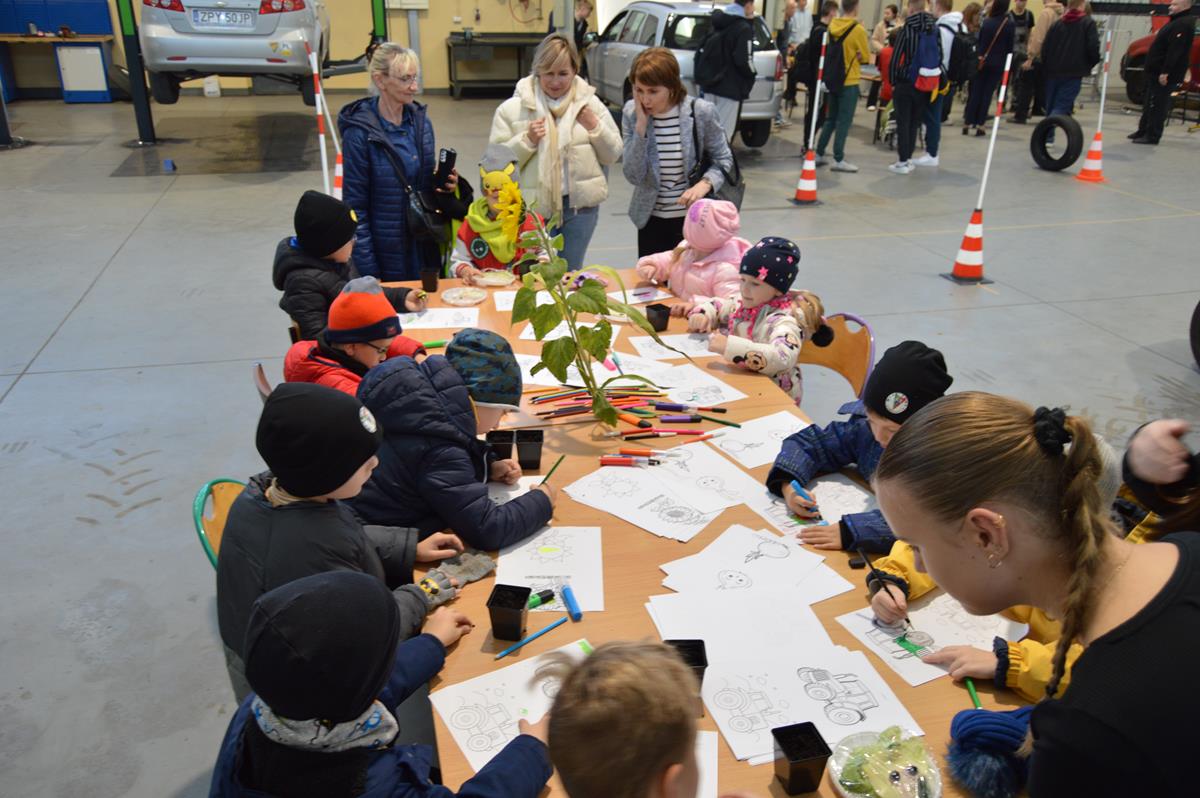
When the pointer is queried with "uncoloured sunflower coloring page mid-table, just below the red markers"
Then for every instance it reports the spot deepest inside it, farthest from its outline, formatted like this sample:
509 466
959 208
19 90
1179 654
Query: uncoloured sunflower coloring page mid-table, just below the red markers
637 496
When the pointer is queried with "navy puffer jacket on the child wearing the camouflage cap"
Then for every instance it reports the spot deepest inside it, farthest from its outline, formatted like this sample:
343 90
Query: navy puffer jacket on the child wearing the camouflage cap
433 469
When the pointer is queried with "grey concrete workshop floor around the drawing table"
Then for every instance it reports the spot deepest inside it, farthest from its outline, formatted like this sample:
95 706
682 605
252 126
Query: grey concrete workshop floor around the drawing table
134 308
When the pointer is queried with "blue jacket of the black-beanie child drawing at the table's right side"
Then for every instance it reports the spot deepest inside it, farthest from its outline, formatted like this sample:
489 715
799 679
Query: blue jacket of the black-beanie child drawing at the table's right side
820 451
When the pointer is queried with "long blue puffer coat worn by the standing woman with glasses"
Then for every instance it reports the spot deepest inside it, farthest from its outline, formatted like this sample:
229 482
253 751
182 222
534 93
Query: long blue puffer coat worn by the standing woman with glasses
383 248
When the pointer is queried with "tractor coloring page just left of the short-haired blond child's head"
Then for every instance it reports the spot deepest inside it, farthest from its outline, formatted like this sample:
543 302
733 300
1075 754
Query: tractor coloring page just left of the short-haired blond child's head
482 715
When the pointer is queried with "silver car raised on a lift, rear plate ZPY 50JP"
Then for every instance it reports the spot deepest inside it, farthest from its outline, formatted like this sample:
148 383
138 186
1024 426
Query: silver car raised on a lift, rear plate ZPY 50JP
183 40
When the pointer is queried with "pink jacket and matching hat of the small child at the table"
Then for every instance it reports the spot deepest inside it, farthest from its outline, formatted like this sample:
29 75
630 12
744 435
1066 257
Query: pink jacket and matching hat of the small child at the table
711 227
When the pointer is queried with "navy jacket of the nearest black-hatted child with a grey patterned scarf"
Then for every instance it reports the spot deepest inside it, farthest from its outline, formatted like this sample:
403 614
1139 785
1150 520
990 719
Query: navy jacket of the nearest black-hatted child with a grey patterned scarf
519 771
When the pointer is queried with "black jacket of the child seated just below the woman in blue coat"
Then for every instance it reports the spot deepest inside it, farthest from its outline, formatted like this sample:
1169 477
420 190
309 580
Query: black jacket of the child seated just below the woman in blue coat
310 286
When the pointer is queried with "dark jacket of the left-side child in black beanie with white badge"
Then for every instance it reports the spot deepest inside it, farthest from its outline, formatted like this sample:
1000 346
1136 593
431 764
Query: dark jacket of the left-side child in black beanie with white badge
265 548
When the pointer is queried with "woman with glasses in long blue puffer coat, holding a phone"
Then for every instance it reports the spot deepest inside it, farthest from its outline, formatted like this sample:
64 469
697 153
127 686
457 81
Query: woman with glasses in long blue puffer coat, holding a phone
388 147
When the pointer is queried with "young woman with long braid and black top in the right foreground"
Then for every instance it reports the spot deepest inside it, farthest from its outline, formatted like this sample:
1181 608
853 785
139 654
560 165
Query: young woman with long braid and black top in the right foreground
1001 507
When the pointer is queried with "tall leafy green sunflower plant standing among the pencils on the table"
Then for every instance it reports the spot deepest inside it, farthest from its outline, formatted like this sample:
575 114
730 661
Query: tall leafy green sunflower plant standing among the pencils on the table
586 343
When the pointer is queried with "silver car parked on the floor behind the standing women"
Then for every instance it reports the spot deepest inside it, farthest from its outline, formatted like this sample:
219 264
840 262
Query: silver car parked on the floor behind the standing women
682 27
